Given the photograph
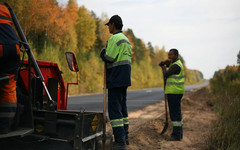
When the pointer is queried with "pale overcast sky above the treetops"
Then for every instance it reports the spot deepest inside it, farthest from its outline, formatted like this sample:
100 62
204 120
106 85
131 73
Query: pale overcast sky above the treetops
206 32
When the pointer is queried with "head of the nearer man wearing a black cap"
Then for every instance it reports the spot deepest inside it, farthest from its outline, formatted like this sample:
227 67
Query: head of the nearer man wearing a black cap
114 24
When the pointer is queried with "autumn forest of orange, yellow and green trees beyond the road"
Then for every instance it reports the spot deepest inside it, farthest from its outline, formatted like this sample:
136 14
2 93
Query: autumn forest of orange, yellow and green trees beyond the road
53 29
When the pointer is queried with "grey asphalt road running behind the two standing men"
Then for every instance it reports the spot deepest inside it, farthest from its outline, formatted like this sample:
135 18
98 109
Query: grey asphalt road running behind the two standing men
136 99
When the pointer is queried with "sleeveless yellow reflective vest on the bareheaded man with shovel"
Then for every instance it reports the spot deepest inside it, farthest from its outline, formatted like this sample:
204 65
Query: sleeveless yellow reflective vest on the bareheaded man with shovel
175 82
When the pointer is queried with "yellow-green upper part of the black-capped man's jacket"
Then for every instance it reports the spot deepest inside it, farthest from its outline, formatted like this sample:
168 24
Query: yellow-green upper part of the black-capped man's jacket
118 51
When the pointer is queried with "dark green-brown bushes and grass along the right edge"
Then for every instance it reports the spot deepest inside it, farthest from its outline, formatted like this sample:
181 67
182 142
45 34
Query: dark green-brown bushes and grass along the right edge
226 86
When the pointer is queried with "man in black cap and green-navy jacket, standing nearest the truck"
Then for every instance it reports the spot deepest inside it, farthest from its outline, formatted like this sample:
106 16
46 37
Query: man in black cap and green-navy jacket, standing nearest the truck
117 55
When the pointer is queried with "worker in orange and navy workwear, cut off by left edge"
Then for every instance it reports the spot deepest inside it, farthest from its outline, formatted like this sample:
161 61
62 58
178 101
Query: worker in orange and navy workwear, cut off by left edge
9 62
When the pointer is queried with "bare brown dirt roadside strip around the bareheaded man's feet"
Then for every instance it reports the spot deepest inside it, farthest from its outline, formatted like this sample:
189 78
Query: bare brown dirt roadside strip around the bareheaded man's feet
147 124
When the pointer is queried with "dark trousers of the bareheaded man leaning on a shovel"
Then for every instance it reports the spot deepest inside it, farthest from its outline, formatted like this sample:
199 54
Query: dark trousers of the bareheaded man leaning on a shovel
174 104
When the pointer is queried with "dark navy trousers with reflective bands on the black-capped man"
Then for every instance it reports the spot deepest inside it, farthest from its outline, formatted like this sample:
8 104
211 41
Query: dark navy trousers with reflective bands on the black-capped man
117 110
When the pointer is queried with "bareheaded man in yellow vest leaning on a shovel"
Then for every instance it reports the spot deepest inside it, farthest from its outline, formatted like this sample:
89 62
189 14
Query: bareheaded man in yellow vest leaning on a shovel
174 89
